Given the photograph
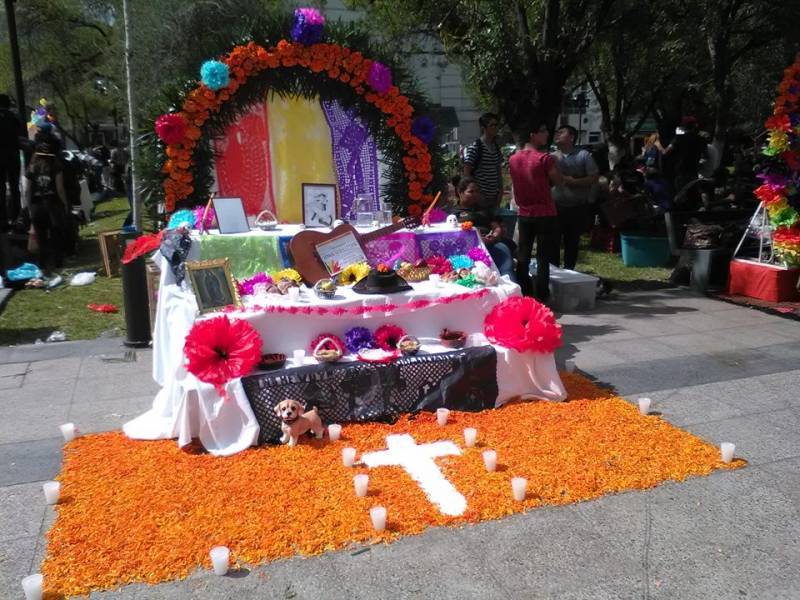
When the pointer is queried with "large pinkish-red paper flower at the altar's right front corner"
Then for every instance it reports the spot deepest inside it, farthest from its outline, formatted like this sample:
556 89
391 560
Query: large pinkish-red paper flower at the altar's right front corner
524 325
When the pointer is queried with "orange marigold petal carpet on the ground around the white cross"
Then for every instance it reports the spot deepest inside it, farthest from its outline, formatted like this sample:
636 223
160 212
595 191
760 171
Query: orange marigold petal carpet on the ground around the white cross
146 511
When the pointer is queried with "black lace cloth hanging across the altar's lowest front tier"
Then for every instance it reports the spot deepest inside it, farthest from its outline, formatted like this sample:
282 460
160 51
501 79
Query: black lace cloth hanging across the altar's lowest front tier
358 392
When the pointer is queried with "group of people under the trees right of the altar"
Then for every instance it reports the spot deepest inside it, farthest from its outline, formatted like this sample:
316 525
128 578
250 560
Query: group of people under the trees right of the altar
559 195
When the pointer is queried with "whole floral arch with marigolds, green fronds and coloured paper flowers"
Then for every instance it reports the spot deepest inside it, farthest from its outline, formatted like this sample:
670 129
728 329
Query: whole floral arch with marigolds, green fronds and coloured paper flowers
181 156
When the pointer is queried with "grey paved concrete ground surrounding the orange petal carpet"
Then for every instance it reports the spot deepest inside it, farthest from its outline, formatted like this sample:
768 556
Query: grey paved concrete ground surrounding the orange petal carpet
723 372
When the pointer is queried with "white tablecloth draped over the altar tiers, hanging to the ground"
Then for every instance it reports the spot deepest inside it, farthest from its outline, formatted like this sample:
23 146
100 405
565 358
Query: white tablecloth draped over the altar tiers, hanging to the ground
187 408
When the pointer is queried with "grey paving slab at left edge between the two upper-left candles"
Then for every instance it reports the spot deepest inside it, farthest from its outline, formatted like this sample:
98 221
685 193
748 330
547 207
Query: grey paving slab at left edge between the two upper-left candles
27 461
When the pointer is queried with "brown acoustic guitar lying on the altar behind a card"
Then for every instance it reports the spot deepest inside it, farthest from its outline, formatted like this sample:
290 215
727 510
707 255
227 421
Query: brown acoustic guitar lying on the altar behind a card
303 246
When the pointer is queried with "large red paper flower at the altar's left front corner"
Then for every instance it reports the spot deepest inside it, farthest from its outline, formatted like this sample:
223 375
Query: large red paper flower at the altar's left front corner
218 350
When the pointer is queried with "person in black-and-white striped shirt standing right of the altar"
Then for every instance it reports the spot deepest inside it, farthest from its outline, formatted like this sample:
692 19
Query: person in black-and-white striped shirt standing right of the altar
483 161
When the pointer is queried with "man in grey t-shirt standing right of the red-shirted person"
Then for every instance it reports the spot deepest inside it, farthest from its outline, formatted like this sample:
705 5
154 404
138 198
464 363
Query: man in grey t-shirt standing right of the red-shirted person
572 196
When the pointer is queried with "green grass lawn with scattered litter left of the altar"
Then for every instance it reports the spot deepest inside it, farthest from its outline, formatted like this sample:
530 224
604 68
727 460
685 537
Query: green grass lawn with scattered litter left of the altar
34 314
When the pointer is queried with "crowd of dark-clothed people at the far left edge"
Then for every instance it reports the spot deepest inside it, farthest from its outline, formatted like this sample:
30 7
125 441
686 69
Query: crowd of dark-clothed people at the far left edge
41 187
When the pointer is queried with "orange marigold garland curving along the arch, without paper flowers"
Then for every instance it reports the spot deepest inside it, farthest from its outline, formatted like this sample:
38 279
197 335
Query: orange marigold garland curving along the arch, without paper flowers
333 60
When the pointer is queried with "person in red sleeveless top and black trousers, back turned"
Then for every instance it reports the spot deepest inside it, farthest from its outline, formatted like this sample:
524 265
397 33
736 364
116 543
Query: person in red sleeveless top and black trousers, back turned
533 172
